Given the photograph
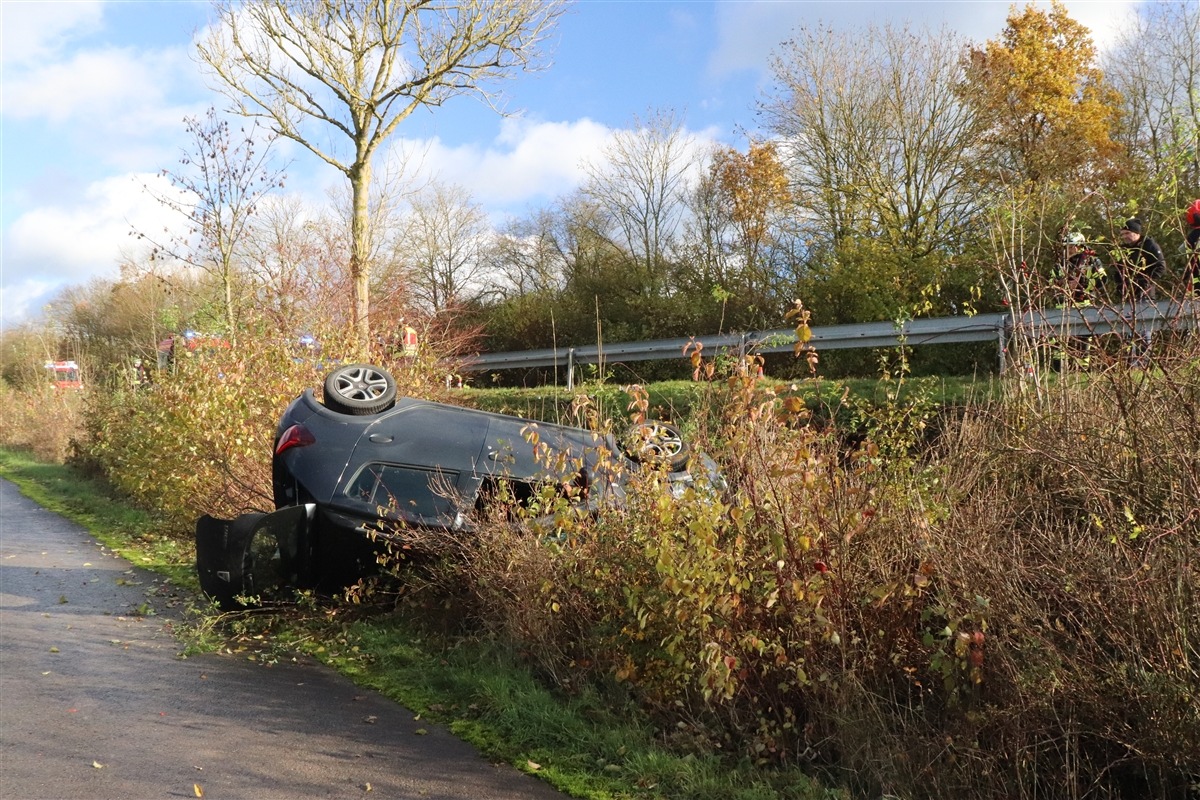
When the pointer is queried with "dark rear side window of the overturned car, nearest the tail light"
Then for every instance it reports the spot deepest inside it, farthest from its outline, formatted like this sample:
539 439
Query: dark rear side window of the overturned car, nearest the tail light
406 492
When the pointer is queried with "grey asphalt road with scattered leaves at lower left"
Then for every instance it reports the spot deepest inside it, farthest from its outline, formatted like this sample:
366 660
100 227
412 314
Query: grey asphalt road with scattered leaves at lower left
97 703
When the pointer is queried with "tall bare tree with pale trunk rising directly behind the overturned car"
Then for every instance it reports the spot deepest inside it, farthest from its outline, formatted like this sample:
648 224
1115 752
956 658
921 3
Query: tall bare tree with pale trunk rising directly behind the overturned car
357 69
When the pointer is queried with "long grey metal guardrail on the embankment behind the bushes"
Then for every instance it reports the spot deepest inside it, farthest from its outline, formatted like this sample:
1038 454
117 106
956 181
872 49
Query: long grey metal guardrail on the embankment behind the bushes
1093 321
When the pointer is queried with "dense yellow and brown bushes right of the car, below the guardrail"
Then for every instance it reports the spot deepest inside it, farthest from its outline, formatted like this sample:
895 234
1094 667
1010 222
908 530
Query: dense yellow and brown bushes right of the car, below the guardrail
1011 613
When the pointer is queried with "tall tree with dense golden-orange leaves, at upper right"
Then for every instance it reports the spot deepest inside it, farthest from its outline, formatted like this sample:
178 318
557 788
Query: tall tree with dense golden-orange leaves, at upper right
1049 113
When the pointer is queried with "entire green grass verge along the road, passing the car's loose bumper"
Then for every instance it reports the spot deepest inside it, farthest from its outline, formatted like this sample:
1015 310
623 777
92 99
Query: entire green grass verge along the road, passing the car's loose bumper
587 745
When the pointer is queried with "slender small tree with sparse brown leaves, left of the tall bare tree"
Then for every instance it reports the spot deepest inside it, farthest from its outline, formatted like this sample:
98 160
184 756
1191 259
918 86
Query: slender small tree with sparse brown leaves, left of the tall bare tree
221 181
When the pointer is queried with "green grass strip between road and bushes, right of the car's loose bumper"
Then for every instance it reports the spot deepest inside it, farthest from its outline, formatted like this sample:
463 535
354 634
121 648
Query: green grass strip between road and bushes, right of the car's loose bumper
589 745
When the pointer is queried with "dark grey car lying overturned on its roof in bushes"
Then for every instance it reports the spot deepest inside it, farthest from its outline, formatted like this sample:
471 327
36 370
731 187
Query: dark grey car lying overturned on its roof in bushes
364 465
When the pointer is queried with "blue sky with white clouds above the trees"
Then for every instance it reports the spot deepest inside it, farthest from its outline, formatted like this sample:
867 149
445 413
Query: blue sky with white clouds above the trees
93 97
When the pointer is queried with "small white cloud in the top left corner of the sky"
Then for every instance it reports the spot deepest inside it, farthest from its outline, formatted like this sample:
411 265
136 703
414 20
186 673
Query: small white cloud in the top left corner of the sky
34 32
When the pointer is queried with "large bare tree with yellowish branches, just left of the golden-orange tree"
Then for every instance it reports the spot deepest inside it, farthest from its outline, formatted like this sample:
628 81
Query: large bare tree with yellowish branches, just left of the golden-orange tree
874 136
